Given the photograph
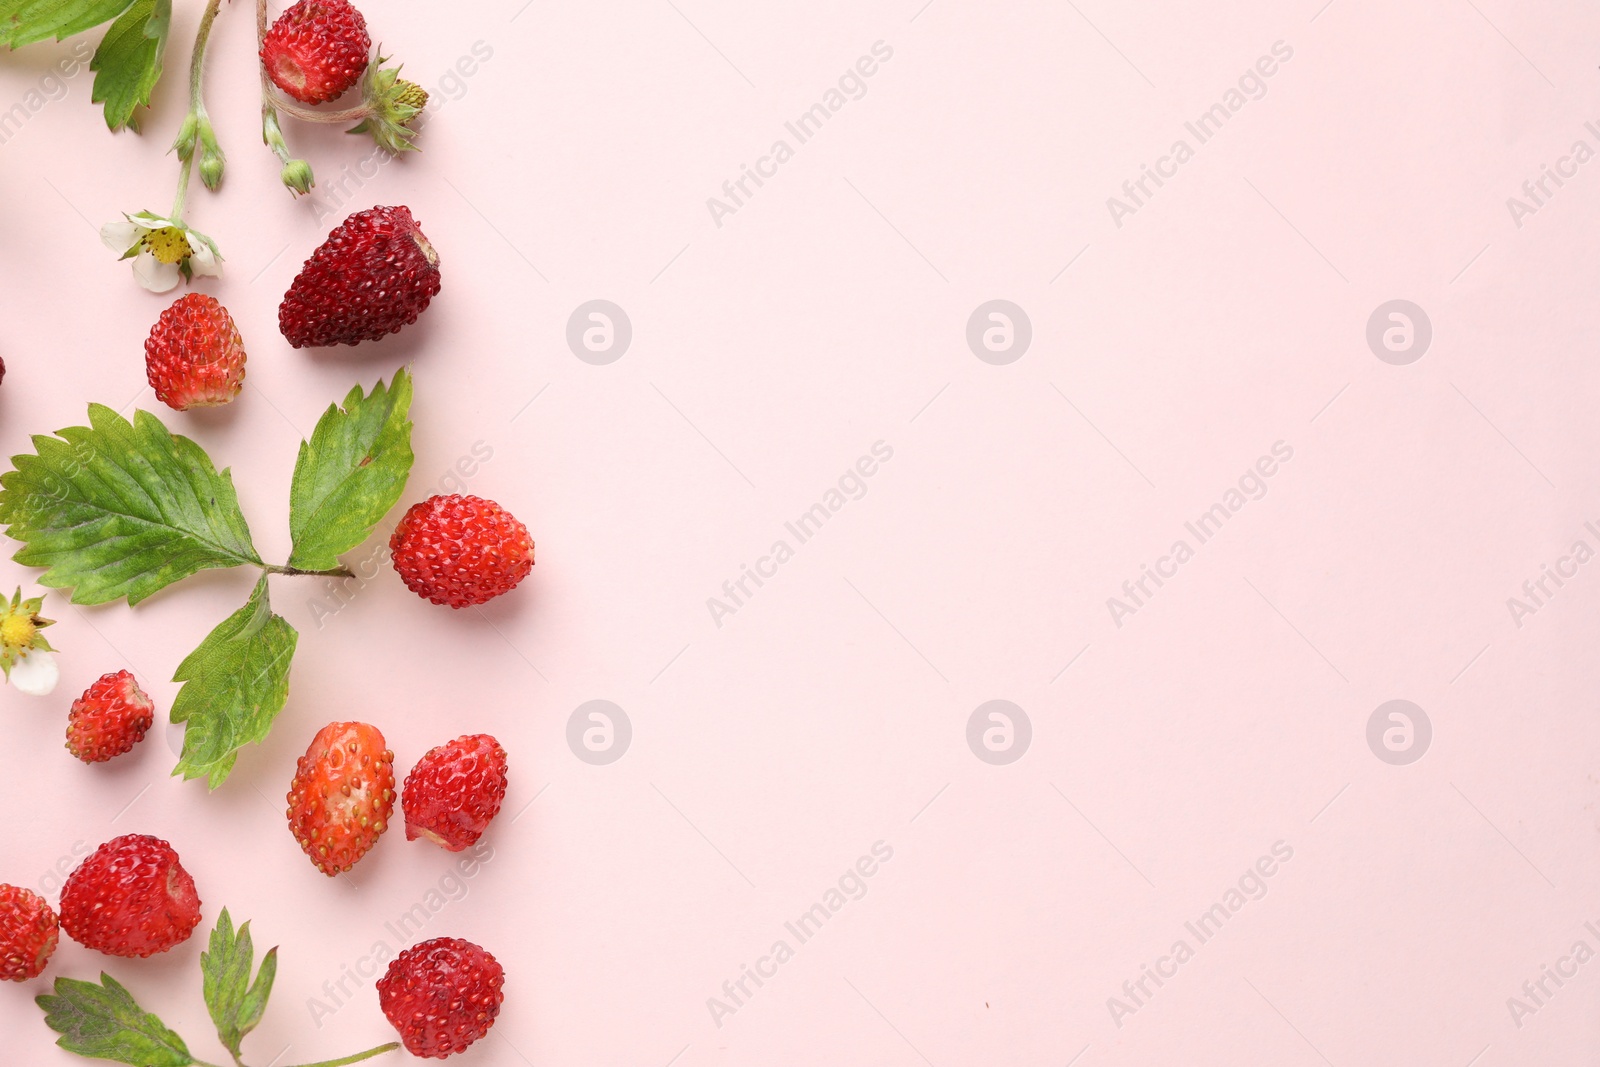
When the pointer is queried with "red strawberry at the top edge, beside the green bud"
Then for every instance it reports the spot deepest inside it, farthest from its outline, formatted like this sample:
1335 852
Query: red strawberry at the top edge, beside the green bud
318 50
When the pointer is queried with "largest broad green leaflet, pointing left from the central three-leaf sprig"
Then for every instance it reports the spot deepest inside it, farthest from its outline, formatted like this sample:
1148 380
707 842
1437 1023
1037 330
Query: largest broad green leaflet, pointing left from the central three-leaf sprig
119 510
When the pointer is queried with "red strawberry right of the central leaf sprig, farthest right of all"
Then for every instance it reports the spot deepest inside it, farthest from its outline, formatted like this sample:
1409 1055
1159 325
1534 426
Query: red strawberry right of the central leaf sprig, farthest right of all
462 551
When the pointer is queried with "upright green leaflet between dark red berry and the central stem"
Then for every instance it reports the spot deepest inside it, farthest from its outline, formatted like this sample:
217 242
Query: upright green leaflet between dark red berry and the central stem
351 473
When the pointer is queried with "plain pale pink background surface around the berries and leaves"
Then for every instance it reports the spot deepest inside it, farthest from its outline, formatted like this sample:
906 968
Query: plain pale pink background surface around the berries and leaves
831 711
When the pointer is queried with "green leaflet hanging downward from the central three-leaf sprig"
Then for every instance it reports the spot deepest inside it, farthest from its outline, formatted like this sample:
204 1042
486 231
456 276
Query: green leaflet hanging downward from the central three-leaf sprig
234 687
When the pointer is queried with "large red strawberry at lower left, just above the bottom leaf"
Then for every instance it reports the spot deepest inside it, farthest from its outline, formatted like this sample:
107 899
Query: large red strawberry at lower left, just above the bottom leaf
130 898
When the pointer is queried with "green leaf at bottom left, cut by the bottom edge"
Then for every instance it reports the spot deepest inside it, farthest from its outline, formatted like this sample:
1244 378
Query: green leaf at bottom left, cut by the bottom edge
105 1021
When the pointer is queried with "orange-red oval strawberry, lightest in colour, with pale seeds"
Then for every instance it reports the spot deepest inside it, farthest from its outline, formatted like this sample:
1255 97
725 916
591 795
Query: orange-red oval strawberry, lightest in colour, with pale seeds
343 796
